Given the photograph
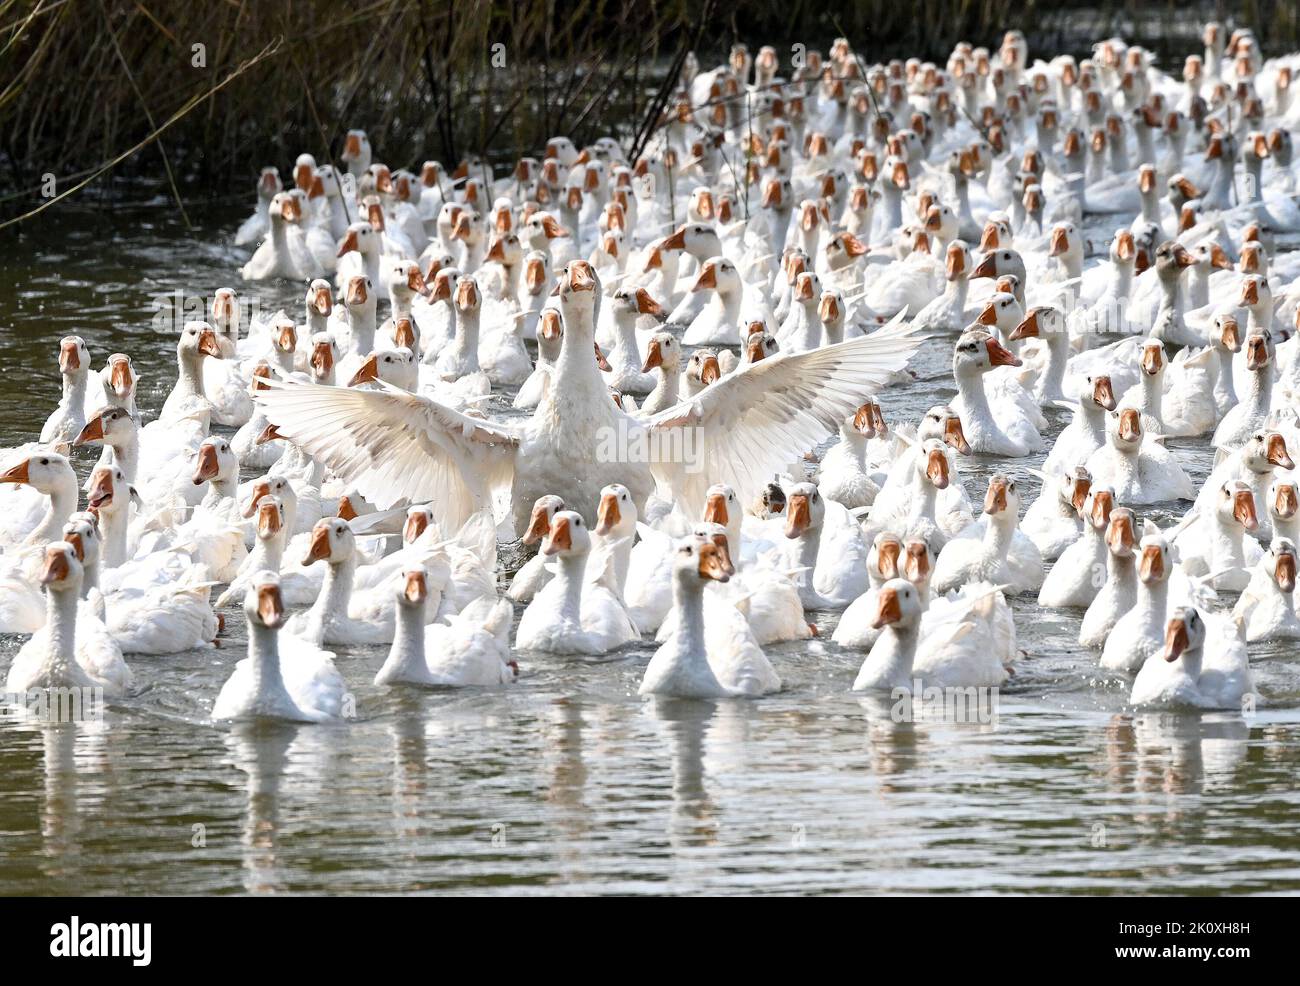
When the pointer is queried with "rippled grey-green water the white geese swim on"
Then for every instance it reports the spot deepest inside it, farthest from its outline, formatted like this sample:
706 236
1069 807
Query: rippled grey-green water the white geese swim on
570 782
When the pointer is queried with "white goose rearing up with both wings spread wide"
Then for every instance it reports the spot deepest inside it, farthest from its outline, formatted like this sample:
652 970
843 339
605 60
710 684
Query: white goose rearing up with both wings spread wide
393 446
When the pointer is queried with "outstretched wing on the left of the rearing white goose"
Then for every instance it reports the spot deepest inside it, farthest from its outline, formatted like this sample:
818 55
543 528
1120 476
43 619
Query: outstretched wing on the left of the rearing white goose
393 446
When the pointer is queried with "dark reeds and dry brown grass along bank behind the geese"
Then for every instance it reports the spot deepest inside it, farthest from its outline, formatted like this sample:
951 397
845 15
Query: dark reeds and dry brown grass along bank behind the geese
201 96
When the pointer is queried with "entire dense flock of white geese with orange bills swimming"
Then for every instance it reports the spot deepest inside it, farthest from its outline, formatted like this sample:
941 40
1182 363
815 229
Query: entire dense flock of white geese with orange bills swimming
707 318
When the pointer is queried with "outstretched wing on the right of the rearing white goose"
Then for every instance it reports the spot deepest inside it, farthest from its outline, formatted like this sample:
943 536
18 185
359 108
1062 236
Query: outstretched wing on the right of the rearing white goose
749 426
